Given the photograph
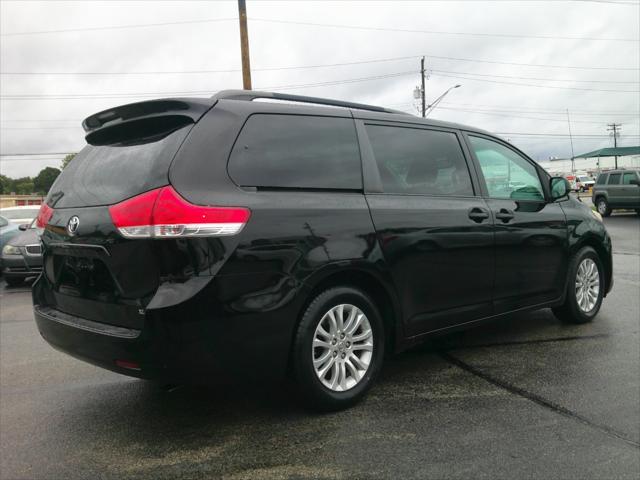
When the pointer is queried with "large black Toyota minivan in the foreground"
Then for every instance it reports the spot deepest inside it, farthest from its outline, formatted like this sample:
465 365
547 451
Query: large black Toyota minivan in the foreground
257 235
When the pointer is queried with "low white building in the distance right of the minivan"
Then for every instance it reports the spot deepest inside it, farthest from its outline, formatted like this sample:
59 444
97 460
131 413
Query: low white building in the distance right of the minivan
596 161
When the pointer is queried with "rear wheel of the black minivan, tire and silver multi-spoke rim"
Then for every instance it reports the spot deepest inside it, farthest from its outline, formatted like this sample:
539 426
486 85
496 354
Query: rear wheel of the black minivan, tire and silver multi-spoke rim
338 349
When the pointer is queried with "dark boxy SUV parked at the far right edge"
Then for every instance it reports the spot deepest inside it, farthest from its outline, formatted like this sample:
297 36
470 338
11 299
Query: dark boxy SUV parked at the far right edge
617 189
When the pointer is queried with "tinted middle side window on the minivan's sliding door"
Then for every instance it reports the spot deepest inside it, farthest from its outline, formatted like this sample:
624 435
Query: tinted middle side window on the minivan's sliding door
417 161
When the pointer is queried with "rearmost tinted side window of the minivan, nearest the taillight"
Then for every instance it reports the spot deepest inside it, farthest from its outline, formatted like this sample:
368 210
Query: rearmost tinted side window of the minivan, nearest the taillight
296 151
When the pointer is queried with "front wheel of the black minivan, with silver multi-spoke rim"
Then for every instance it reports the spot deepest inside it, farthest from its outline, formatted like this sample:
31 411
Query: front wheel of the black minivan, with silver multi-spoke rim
585 288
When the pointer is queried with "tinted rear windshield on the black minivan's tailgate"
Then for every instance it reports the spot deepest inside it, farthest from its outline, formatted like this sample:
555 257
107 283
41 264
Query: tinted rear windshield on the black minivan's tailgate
107 174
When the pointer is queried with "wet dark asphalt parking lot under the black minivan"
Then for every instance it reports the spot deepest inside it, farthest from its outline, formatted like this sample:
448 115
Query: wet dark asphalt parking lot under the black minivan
526 397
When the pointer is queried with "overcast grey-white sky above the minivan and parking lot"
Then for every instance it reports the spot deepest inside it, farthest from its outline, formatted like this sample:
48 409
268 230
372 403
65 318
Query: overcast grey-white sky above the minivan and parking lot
486 42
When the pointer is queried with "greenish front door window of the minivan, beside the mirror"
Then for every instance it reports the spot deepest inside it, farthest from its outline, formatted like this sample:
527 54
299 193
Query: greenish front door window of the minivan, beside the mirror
507 174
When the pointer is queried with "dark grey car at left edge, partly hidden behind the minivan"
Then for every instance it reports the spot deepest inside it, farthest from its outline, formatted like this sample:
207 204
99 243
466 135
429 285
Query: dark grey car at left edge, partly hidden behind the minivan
22 255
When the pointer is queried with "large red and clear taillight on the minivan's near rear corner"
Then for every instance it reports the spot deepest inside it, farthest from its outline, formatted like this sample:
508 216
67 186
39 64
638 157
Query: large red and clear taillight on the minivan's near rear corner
163 213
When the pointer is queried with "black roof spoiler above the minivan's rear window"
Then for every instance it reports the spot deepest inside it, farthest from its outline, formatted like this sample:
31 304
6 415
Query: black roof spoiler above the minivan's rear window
143 119
